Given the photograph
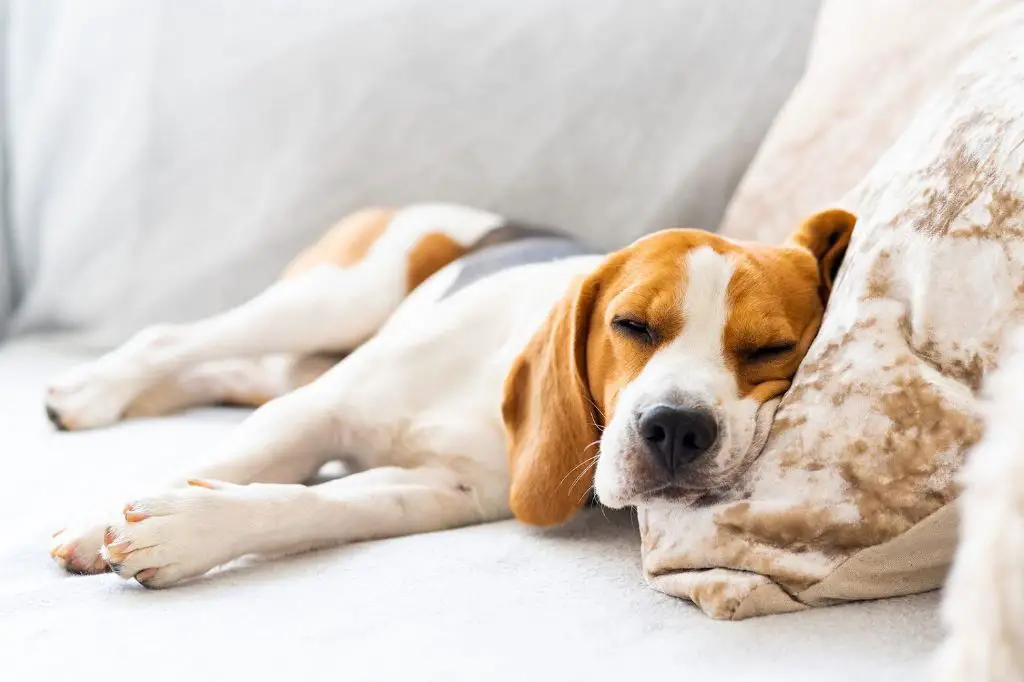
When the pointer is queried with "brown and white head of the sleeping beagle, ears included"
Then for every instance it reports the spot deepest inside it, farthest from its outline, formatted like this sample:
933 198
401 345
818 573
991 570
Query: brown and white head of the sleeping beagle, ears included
655 378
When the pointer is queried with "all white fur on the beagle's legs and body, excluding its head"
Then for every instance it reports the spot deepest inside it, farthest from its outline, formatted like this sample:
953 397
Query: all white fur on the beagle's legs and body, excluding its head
417 407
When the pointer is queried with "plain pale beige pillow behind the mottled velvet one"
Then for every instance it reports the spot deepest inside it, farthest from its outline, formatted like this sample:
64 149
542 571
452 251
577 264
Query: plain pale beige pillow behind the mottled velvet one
873 65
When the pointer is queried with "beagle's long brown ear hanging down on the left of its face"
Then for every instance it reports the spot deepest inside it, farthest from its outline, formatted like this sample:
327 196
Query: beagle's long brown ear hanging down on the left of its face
549 414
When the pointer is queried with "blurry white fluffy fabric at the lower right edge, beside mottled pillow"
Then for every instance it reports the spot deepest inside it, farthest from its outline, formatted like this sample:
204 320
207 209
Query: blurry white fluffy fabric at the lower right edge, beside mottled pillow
985 601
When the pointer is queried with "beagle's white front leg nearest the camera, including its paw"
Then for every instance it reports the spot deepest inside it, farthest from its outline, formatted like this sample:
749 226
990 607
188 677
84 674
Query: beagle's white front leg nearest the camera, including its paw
187 532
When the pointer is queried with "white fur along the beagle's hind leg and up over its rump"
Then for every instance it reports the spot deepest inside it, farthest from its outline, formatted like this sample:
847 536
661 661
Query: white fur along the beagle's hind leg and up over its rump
326 310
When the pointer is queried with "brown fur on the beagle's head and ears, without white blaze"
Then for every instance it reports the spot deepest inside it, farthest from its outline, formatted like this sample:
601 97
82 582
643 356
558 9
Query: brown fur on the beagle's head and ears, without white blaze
567 382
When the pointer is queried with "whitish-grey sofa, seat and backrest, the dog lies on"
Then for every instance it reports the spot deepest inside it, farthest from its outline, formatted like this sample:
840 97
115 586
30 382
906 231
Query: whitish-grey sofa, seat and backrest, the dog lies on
164 159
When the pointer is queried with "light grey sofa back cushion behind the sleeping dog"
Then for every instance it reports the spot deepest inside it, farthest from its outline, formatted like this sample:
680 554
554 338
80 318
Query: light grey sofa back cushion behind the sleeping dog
168 158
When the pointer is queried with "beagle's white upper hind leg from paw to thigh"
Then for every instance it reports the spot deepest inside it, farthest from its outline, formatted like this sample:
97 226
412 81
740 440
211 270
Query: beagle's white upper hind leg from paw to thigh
327 309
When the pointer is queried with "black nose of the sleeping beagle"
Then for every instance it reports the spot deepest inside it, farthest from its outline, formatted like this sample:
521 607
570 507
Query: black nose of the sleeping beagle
677 436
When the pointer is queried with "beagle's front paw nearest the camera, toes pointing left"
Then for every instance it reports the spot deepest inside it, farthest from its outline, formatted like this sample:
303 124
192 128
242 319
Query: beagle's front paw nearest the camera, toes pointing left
179 535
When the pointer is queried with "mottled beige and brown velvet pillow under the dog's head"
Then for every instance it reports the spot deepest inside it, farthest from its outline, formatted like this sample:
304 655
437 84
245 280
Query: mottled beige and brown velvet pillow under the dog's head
851 497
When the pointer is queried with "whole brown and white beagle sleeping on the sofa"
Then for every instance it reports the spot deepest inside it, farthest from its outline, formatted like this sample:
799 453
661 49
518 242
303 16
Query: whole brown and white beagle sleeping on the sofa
467 369
